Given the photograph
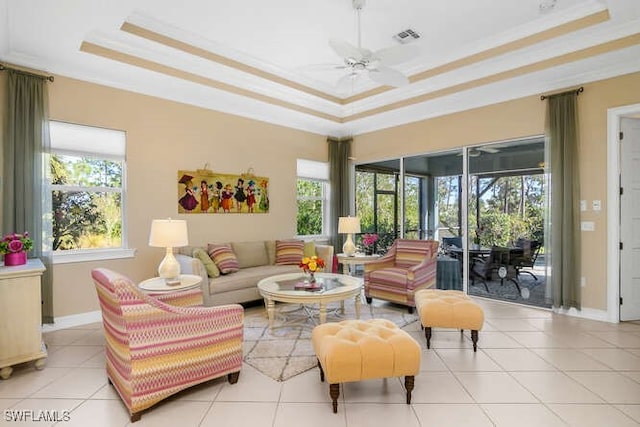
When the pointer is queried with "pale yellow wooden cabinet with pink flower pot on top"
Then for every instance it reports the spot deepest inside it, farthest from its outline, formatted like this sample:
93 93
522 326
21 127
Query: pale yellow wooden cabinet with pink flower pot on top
21 316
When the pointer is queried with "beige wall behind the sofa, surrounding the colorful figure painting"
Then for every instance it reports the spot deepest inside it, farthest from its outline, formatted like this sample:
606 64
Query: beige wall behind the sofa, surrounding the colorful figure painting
163 137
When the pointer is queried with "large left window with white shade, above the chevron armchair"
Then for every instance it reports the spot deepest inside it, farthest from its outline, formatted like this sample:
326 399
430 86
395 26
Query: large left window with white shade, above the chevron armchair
86 169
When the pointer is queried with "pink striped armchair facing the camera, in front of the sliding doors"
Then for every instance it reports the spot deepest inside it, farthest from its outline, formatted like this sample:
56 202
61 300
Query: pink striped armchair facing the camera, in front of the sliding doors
408 266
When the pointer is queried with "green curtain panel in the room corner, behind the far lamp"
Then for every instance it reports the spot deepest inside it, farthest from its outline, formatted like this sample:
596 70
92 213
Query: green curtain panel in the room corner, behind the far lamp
339 153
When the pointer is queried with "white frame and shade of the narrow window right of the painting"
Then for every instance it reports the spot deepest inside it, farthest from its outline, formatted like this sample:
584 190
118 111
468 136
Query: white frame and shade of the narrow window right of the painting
310 170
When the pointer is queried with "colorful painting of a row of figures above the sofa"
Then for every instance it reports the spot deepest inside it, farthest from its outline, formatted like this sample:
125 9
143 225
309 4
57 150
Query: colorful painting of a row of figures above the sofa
204 191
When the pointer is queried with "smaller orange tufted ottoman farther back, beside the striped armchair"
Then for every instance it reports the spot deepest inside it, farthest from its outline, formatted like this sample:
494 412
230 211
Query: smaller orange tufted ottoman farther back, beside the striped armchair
448 309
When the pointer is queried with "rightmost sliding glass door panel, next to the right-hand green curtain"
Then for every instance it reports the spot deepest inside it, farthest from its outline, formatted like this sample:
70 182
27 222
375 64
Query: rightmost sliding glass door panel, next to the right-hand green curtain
506 212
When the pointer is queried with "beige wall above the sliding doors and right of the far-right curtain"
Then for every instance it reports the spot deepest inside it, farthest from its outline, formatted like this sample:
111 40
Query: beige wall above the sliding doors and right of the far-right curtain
521 118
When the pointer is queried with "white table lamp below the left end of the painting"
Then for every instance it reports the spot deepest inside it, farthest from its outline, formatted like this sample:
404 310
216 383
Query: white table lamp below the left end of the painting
168 233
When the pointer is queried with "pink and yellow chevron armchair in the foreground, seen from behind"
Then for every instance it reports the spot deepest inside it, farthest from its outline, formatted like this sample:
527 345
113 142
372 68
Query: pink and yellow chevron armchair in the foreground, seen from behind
154 350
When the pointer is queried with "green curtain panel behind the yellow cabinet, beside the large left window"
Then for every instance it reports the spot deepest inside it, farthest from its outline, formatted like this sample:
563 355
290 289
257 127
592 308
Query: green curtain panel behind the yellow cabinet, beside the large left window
26 141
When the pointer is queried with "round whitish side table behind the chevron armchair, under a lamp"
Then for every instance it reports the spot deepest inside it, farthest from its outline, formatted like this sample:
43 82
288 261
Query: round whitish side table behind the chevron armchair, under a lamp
188 293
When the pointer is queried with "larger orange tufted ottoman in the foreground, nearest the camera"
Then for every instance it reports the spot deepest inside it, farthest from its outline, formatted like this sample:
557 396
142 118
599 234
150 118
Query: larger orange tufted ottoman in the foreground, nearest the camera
354 350
